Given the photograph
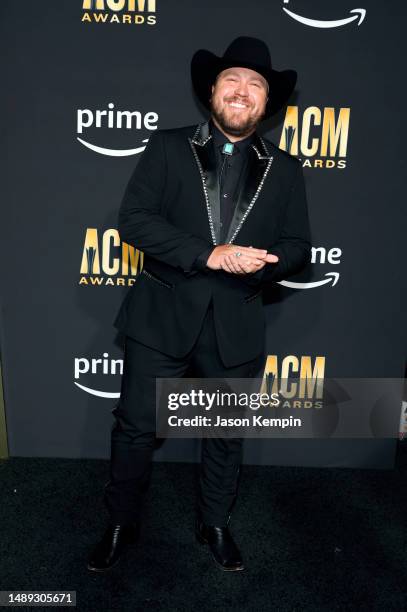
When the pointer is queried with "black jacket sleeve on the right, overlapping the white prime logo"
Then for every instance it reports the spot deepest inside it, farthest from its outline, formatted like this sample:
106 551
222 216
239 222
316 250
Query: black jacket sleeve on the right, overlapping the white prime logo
293 247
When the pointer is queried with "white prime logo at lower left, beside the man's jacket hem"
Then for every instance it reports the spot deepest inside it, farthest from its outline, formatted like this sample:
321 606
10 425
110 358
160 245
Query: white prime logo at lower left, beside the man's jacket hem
98 369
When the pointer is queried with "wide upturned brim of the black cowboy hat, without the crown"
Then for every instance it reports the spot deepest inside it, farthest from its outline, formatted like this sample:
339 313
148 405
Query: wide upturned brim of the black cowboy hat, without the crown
205 66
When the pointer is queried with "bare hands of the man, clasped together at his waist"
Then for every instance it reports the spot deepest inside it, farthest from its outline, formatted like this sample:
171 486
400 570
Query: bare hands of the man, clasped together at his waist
224 257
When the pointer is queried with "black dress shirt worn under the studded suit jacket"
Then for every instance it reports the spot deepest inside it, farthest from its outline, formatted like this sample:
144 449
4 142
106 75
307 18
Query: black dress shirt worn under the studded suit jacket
231 171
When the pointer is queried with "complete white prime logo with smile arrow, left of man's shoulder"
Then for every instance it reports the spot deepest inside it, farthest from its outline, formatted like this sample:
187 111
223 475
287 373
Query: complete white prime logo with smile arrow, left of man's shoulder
111 119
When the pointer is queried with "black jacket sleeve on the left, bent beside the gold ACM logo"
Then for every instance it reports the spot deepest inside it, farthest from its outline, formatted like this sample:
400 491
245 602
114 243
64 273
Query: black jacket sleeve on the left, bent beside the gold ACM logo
141 223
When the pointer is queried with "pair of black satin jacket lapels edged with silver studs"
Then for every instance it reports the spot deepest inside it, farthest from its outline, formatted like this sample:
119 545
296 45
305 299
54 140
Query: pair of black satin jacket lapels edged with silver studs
257 168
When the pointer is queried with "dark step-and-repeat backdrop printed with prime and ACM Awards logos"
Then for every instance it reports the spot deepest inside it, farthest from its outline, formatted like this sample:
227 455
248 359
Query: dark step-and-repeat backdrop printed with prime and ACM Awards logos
84 84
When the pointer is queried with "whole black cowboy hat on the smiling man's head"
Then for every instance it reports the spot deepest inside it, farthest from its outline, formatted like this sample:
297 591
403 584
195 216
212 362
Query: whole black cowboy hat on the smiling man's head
245 52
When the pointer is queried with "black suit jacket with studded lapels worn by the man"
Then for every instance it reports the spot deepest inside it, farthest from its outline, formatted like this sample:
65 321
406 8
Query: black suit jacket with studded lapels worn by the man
171 212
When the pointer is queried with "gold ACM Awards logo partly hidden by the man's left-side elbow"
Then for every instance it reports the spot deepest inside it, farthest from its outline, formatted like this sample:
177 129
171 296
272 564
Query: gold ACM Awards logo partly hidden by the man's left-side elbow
107 261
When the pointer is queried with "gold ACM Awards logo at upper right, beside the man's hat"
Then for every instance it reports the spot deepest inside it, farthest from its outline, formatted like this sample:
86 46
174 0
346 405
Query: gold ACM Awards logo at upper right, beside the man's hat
317 136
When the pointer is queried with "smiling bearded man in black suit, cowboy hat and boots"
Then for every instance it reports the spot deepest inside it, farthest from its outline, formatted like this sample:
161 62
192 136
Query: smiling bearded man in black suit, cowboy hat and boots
218 211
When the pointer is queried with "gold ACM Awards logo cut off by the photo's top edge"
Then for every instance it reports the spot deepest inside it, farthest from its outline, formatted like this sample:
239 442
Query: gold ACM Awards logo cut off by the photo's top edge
136 12
